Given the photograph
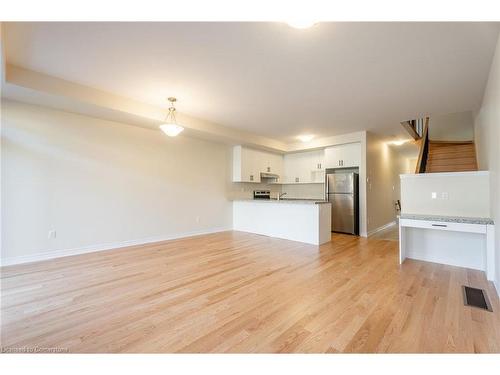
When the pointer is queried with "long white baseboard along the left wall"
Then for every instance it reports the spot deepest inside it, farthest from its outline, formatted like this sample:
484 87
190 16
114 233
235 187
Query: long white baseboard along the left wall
101 247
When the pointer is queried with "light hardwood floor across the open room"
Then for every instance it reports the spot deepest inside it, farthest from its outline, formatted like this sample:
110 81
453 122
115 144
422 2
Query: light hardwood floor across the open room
239 292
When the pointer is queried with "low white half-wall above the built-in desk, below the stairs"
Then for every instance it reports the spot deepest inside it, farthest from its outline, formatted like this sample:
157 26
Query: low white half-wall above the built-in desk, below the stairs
457 194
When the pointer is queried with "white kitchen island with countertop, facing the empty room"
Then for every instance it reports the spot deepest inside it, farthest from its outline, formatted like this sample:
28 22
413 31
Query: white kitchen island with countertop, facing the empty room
306 221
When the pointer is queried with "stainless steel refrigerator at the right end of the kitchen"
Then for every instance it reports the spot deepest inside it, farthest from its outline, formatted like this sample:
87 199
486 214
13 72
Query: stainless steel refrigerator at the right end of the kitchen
342 193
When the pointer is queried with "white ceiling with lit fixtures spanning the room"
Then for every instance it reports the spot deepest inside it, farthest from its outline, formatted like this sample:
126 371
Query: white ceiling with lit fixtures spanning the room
268 78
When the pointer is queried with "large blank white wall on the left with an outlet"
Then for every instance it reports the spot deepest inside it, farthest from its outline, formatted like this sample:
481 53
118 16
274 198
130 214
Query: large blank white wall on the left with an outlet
100 183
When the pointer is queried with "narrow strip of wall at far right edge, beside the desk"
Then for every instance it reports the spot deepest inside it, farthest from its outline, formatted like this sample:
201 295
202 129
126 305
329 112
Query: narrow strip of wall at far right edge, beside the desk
487 138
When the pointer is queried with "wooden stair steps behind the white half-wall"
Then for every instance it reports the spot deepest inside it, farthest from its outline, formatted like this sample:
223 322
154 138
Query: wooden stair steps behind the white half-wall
451 157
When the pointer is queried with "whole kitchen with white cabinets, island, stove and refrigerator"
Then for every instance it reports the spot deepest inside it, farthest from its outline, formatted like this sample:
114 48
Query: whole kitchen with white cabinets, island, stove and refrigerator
301 196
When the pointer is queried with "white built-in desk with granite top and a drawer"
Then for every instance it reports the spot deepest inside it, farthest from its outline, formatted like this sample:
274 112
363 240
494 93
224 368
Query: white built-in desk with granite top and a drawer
456 241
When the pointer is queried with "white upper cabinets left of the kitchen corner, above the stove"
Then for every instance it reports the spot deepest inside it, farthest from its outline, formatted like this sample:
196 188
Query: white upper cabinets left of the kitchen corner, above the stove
248 164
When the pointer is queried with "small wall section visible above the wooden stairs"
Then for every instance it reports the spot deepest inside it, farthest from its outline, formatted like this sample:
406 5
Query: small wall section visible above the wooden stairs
452 127
